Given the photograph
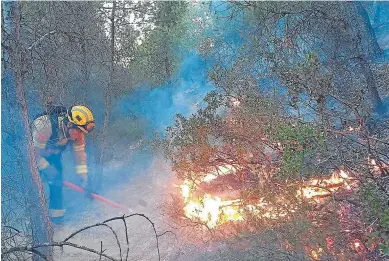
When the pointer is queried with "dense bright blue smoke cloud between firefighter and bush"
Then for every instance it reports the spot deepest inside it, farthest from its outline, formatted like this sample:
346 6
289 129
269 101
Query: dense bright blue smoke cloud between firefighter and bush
183 94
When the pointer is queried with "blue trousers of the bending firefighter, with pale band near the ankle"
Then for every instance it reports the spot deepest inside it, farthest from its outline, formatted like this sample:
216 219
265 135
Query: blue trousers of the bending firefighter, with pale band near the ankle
56 209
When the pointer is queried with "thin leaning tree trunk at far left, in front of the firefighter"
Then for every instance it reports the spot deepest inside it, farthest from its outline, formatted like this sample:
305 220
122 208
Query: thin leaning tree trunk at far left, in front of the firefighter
39 219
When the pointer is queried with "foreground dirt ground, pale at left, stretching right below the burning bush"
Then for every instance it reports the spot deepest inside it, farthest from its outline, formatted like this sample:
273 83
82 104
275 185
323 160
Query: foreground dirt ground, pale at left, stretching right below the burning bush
149 194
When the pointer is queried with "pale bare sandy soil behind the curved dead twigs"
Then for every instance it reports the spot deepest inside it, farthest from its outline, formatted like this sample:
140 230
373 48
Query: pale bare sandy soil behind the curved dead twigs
145 194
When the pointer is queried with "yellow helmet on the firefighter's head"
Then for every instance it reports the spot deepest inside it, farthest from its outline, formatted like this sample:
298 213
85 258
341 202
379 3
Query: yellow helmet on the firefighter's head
82 117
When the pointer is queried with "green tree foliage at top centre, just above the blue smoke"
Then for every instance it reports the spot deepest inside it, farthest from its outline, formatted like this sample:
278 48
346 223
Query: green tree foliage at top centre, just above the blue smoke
158 56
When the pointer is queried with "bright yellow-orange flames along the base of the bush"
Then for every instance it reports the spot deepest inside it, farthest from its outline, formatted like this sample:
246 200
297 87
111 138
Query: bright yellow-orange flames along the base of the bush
214 211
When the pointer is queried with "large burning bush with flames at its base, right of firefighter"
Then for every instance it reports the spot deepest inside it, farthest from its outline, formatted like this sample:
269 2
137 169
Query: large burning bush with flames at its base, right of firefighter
242 160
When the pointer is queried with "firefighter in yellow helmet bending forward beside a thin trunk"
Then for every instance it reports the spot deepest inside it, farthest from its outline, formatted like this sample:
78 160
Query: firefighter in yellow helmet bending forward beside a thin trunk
52 132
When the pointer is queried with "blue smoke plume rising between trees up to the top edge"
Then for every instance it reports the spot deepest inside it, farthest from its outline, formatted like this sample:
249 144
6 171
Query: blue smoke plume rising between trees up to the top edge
184 92
